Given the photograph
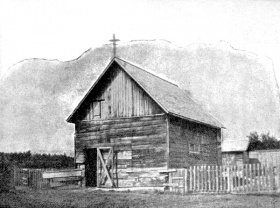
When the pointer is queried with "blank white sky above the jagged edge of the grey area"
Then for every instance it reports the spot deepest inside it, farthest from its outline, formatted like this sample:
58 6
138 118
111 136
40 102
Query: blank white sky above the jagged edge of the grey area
64 29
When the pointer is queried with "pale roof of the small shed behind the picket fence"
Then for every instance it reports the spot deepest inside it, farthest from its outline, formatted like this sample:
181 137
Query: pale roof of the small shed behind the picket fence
235 145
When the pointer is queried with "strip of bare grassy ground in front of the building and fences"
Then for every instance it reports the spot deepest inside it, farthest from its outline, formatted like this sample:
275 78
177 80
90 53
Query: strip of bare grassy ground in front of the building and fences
96 198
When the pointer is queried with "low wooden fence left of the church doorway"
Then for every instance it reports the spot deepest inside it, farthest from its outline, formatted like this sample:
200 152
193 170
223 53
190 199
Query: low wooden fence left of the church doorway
42 179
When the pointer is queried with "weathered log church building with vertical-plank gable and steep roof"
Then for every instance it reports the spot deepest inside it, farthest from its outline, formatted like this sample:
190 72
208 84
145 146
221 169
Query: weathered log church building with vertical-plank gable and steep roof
132 126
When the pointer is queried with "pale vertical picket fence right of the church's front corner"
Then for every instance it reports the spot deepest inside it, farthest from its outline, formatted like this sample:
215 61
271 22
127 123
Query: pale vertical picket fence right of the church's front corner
250 178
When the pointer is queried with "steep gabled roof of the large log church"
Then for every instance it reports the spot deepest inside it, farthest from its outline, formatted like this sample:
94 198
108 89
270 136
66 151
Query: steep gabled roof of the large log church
168 96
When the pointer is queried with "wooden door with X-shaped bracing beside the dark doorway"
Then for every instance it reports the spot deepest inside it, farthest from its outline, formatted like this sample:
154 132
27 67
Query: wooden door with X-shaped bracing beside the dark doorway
105 167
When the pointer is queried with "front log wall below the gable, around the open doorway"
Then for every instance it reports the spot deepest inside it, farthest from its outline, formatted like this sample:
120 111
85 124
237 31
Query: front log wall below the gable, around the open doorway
139 144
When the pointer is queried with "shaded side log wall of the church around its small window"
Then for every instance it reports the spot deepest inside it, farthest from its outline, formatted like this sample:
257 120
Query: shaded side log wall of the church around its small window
181 133
